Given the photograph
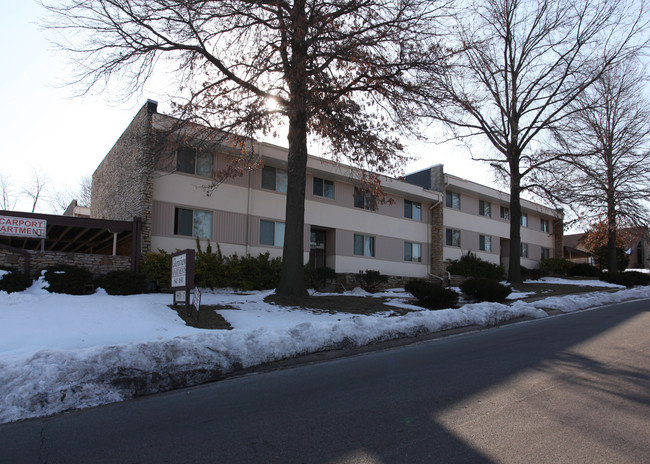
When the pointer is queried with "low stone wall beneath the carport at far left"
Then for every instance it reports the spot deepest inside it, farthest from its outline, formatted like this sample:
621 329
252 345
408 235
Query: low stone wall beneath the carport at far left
96 264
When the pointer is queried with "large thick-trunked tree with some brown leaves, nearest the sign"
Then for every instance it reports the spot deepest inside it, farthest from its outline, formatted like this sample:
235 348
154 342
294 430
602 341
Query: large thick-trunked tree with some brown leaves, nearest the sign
347 71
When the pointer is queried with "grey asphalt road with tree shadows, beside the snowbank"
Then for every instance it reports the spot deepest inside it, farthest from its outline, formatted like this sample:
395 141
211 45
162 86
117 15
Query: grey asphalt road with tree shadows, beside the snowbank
566 389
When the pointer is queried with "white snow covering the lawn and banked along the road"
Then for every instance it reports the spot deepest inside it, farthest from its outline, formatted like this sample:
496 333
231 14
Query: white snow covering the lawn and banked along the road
62 352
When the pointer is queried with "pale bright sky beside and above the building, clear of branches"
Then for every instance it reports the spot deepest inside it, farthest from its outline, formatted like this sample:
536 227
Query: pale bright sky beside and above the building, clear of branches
49 131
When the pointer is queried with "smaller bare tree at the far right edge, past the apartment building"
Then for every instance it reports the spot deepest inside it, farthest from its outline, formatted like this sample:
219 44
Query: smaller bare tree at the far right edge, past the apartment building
604 175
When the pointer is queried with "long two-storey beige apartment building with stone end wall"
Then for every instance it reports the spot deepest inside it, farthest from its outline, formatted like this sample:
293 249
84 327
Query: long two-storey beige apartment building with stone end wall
159 178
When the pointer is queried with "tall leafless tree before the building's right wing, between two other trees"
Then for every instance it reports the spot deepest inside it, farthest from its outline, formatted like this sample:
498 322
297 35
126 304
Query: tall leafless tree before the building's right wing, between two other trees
525 61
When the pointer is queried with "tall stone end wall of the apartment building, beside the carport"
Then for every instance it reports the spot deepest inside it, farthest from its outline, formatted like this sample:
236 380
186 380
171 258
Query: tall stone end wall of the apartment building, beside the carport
122 184
